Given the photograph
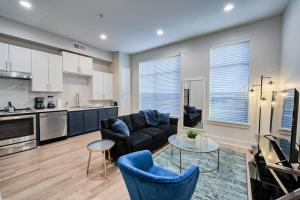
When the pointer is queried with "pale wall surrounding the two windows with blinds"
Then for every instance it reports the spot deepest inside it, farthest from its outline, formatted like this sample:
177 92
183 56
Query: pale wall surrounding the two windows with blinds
265 37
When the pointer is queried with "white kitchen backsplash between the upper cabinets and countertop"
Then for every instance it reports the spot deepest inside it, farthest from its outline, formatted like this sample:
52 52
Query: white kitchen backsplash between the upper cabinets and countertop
20 94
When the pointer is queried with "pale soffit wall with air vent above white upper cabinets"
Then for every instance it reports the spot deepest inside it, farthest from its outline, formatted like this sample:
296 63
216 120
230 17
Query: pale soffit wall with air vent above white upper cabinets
22 31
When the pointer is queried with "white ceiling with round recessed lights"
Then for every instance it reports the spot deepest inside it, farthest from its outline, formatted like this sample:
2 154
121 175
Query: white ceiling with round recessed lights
131 25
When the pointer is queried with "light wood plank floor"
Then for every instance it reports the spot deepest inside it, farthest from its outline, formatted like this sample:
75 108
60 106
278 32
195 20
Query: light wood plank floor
58 171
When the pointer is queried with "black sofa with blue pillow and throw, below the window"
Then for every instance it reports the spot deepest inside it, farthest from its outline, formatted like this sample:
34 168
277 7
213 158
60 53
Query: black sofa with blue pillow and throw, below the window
142 136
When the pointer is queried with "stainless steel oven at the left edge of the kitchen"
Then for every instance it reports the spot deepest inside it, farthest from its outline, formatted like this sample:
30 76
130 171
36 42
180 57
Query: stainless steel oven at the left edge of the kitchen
17 133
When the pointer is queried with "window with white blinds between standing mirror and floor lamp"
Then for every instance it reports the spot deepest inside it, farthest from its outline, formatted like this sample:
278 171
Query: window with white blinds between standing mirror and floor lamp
229 83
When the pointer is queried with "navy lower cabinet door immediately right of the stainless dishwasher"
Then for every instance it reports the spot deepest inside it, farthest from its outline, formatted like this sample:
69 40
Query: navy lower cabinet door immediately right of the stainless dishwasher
75 123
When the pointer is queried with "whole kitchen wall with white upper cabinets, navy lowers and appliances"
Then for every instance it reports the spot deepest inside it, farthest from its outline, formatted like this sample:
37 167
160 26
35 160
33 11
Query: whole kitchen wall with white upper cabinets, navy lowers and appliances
49 94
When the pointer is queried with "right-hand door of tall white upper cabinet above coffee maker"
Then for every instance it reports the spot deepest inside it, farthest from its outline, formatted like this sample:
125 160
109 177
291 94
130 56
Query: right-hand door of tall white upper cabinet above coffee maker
55 73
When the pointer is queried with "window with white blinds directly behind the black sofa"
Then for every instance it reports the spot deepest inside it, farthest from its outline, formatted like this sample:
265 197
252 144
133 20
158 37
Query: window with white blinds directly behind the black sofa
159 87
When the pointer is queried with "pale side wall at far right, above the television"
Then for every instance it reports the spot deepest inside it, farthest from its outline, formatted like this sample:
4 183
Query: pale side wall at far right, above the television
290 57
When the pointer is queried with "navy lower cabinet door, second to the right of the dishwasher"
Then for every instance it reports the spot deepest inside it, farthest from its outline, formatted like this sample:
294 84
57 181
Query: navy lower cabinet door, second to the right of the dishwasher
91 120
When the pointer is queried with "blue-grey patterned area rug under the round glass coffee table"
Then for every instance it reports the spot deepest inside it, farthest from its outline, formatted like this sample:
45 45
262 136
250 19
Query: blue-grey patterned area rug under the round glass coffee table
230 183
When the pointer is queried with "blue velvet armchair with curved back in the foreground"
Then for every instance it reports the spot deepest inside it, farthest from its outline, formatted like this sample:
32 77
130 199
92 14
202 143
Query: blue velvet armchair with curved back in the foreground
145 181
